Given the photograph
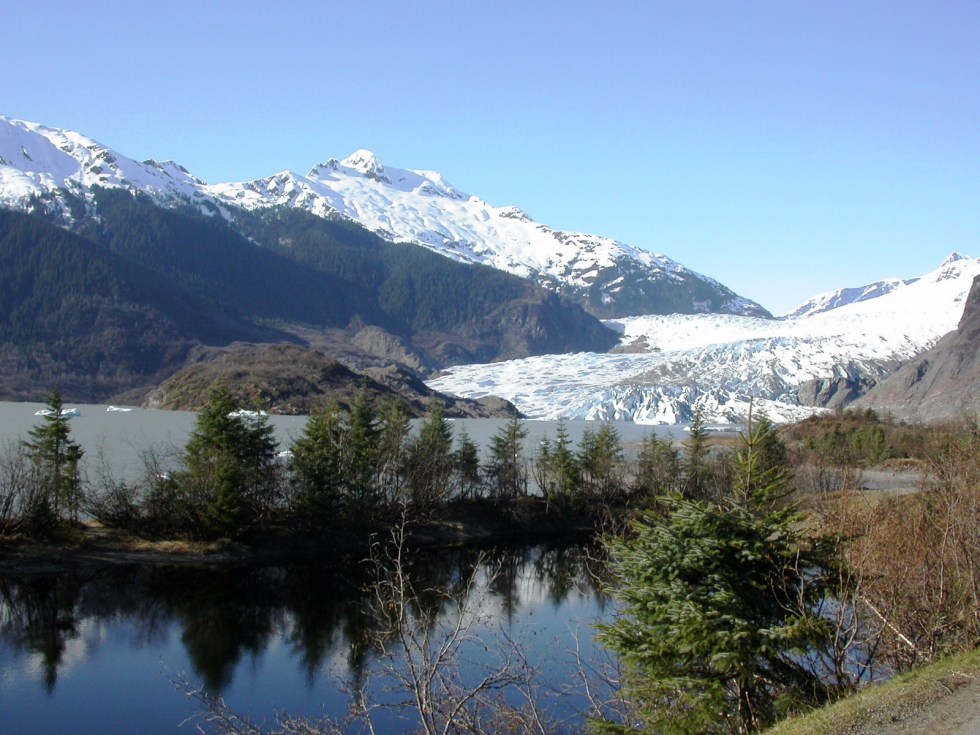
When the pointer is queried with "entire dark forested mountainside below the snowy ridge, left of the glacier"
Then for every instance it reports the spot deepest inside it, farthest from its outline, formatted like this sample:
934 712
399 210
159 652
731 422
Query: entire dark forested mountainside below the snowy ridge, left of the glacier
120 301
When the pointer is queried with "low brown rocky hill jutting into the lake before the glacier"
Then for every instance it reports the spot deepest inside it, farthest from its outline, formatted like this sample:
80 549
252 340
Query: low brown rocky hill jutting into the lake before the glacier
288 379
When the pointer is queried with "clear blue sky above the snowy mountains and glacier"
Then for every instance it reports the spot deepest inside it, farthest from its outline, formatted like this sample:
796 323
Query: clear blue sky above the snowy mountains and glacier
783 148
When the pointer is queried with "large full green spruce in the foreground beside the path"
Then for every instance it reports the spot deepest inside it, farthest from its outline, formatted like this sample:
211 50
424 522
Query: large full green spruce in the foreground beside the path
716 607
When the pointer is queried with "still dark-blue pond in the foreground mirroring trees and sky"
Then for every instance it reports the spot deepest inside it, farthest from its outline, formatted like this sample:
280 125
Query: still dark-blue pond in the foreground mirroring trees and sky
97 650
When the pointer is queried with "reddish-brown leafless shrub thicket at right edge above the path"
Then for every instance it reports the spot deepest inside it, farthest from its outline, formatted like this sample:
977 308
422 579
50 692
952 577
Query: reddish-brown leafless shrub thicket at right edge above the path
919 555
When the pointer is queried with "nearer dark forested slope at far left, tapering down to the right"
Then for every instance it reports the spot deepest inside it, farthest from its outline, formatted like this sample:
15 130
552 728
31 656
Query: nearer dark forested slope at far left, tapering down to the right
77 316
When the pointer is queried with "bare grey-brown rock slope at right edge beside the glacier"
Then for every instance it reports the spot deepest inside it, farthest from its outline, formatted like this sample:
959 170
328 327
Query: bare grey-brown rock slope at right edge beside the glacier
941 383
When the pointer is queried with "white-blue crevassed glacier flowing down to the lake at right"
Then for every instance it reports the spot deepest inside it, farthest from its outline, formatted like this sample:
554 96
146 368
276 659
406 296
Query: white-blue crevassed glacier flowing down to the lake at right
670 365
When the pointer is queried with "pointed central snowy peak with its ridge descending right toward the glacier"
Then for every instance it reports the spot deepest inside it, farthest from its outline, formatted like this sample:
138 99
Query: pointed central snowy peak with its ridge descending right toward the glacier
609 277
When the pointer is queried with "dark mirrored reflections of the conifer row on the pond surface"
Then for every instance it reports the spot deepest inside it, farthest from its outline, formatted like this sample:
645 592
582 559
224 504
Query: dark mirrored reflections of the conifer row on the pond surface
321 613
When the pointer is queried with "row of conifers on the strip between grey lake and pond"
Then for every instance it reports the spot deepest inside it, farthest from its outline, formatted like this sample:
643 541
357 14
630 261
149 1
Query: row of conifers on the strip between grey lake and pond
359 467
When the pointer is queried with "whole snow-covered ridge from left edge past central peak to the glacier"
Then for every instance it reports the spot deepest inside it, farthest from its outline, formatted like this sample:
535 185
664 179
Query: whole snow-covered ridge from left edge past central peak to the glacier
608 277
